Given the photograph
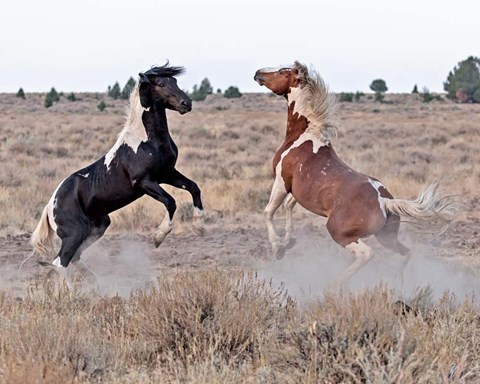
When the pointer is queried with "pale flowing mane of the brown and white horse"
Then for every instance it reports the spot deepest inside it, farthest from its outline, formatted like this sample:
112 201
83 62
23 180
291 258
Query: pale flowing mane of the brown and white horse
314 101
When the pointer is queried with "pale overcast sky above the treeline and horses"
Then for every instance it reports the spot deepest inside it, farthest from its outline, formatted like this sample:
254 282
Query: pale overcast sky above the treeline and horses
89 44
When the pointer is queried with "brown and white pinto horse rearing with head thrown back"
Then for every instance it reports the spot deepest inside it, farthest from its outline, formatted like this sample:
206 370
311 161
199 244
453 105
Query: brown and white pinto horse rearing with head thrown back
308 171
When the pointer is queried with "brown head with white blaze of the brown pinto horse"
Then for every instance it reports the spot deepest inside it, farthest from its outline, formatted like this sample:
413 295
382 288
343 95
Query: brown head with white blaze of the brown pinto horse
281 80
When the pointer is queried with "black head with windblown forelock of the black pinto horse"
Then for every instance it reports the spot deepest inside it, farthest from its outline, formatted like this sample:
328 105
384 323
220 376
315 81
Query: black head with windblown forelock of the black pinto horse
159 86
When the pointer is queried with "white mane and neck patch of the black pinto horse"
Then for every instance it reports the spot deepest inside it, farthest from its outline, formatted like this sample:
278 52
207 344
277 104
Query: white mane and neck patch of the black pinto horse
133 132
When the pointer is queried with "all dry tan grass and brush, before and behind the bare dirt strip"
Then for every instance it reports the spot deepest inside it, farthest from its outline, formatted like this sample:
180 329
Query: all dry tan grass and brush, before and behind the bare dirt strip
197 326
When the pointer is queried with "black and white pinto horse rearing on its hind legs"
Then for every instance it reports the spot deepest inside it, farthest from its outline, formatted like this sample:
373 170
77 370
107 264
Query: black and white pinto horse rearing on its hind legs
143 157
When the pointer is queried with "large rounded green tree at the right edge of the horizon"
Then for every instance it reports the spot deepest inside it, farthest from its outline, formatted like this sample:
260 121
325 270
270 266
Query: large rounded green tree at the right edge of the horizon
463 83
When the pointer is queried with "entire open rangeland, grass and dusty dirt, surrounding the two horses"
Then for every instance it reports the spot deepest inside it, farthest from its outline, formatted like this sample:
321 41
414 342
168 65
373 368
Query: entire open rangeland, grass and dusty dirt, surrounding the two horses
219 308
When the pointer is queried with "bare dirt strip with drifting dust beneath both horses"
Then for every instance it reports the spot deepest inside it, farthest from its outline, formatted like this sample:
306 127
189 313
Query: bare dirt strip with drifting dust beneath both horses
124 263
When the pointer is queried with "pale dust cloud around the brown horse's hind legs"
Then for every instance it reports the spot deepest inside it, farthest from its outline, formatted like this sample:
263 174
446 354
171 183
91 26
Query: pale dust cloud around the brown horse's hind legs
312 267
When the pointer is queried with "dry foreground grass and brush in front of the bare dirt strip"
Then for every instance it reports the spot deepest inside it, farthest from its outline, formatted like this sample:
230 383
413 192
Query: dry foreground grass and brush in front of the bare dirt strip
212 326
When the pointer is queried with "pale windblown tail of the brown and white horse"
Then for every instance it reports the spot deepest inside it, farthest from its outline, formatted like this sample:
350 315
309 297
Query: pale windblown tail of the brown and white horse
429 212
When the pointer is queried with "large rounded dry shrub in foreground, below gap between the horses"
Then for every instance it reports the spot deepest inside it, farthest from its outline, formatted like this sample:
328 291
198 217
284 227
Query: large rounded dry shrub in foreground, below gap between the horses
197 315
